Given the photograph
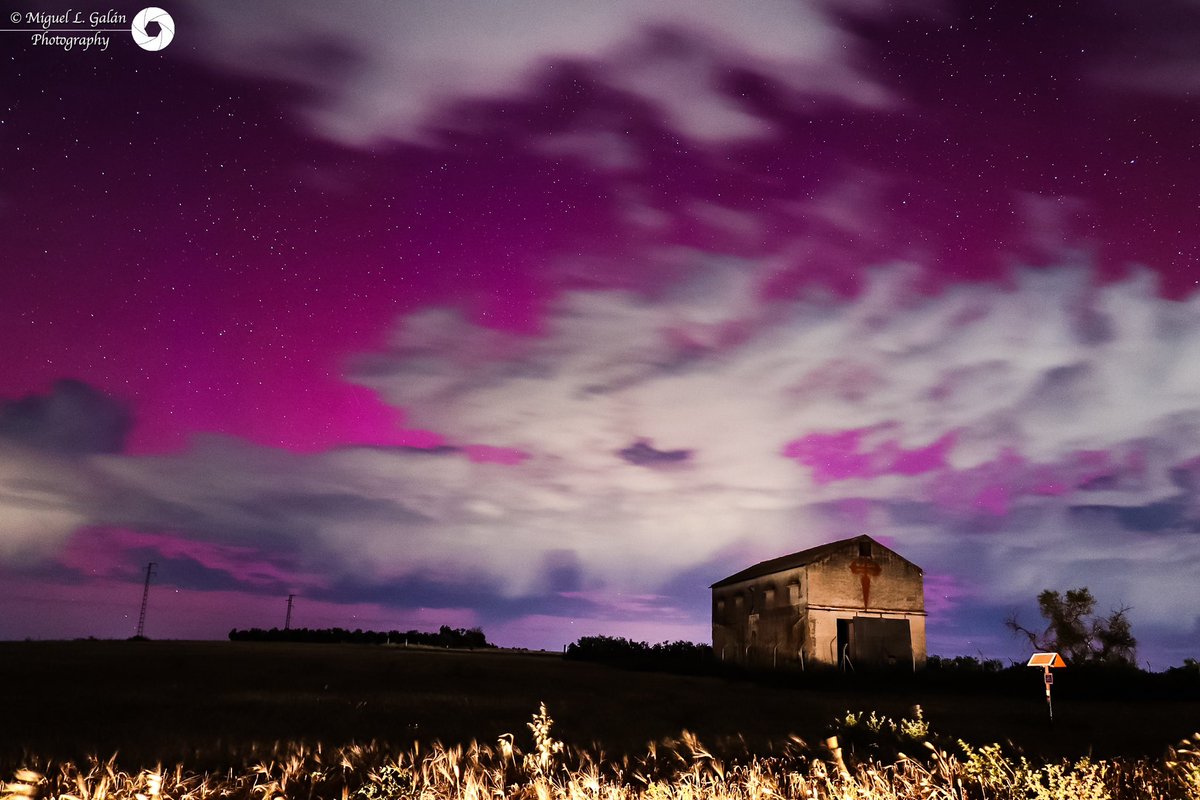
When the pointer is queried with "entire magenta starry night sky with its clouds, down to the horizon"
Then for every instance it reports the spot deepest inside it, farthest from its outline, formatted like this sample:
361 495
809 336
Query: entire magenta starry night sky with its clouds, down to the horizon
545 316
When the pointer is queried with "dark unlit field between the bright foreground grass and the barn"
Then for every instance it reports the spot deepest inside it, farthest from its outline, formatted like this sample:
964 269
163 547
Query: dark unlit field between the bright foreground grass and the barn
217 705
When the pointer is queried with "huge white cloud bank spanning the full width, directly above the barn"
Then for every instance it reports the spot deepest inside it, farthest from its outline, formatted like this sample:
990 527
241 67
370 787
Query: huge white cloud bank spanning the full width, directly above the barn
1030 377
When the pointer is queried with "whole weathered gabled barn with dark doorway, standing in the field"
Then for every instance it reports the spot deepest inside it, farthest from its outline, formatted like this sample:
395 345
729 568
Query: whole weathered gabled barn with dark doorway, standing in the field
853 604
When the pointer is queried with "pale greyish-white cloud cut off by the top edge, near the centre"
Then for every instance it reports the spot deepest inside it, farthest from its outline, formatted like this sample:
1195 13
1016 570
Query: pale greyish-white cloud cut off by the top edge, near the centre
387 71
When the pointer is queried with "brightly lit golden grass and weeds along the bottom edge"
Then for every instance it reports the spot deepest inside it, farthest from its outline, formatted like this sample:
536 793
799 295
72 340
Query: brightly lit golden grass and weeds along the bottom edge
865 762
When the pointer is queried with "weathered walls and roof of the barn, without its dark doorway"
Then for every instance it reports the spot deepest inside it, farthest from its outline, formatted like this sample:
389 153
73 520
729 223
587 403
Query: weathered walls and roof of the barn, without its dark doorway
790 618
